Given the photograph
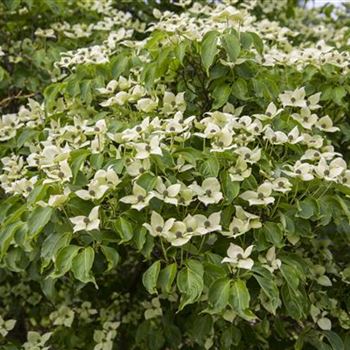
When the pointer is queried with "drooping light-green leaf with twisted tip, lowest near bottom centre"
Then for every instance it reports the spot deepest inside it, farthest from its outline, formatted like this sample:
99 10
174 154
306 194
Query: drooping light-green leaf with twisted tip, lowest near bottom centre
190 283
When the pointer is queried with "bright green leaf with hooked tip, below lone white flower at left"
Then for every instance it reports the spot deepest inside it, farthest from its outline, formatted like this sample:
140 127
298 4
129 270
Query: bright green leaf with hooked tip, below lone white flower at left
82 264
